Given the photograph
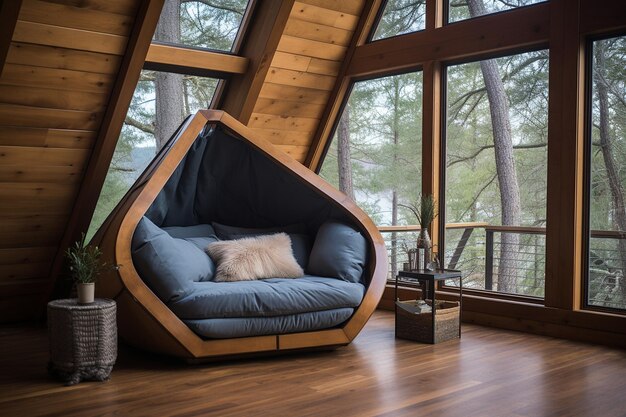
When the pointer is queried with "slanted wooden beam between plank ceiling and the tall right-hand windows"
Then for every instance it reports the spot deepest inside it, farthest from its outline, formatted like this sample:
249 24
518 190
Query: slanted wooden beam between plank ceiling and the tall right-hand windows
321 140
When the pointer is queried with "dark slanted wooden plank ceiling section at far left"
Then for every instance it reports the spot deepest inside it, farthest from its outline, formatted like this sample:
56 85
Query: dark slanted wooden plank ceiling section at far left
60 69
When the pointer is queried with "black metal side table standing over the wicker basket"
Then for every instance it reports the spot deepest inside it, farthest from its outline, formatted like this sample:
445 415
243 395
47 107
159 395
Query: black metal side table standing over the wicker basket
427 281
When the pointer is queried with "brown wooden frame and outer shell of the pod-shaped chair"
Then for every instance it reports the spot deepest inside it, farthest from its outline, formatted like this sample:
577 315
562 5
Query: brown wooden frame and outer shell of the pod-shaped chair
146 322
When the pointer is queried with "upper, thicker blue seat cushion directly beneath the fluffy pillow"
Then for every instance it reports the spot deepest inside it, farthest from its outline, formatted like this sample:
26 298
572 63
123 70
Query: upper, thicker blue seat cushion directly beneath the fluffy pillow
266 298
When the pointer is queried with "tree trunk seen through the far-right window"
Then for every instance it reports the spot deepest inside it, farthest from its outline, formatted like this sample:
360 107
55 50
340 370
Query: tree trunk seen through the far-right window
606 146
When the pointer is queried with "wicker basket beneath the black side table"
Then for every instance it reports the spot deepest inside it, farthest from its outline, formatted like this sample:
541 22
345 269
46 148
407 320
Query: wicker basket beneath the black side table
419 326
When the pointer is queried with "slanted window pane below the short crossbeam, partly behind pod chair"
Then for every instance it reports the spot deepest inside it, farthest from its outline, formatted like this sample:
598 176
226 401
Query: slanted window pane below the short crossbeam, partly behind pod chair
144 133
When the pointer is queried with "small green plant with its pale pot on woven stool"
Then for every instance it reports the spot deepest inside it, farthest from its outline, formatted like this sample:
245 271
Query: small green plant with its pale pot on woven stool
85 268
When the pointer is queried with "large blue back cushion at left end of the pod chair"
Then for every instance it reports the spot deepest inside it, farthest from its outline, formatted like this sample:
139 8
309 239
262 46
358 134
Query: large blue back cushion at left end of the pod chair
169 265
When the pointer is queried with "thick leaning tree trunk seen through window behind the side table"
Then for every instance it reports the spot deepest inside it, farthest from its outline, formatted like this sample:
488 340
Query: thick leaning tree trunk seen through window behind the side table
505 164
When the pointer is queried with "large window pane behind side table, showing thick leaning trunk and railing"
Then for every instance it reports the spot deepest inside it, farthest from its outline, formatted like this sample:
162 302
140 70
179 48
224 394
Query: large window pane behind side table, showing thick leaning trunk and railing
496 165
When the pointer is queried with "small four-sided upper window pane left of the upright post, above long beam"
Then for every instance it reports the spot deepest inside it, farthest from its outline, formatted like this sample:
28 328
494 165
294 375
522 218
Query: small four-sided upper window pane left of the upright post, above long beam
400 17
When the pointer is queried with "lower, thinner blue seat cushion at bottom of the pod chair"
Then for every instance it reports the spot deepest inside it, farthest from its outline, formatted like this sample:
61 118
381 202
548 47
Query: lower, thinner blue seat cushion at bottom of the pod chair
257 326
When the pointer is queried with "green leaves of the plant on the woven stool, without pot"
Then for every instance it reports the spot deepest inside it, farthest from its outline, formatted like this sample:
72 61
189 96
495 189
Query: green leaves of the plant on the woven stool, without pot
84 262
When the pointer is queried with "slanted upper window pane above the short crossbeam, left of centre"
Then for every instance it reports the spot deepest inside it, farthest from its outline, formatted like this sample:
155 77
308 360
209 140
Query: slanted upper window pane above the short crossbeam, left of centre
201 24
